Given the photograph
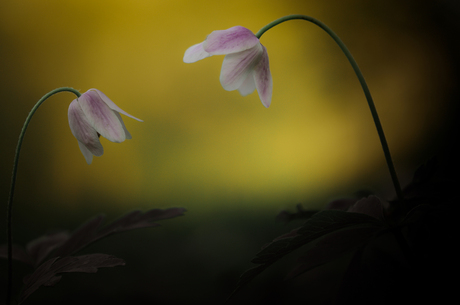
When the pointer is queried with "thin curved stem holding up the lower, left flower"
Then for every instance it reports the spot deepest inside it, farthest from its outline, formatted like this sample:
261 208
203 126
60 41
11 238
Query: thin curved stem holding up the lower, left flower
13 183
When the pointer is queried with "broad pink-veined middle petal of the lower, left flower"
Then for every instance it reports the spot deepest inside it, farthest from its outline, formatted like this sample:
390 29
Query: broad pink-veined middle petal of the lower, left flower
101 117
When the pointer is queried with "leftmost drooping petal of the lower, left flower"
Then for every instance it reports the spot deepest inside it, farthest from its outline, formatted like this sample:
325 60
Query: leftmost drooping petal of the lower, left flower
83 131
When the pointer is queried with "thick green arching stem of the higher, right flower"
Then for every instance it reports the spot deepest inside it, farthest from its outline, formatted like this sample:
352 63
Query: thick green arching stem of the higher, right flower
360 76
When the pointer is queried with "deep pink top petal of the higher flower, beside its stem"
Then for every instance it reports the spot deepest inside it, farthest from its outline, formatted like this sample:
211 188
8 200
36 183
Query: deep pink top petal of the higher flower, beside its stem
232 40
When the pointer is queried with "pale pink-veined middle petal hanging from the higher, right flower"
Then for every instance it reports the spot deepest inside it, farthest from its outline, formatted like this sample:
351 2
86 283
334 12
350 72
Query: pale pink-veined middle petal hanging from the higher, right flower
237 66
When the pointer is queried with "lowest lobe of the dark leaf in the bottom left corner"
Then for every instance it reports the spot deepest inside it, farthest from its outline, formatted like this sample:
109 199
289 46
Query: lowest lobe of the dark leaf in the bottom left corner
47 274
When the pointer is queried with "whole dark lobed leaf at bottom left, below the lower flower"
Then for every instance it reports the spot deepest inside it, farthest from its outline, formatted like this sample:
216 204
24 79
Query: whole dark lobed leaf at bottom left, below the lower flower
65 245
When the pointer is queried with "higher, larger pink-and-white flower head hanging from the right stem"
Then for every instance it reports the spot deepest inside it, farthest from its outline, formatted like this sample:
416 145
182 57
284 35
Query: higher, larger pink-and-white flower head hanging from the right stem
245 67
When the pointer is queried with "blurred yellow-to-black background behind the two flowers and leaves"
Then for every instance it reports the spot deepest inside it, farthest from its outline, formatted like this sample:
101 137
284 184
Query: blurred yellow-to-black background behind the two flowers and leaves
231 162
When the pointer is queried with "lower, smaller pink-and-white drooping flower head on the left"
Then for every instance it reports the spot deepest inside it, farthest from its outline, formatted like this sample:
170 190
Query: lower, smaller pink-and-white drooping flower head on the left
93 115
